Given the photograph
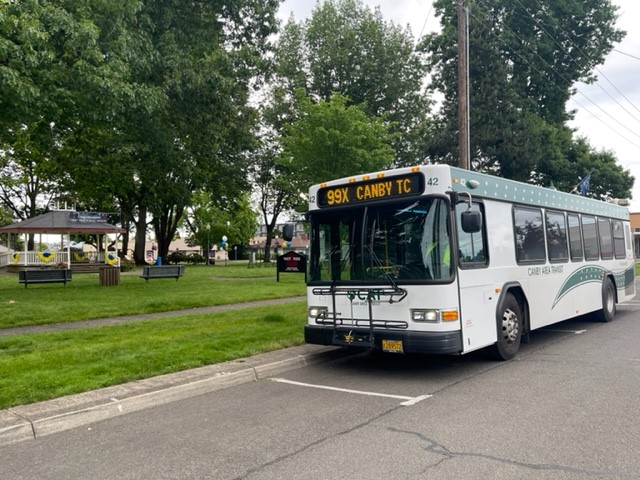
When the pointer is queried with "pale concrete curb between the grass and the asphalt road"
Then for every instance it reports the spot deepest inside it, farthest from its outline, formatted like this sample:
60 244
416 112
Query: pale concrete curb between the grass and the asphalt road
31 422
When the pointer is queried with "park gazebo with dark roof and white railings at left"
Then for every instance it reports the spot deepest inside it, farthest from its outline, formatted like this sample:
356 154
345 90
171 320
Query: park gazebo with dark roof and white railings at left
63 223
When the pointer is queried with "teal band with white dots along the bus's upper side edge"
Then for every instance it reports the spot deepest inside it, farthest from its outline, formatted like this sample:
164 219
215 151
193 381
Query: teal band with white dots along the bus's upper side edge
502 189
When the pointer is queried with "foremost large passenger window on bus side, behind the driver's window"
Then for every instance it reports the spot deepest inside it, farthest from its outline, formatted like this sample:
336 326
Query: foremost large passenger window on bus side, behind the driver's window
529 235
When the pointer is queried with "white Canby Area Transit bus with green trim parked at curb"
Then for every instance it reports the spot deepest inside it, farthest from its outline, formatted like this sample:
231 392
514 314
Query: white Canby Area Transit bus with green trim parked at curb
435 259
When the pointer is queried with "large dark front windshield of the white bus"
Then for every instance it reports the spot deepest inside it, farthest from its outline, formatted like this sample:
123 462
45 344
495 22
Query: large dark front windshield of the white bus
404 242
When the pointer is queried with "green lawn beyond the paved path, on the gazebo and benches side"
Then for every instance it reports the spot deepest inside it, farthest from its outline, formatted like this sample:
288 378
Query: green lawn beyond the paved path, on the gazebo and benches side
84 299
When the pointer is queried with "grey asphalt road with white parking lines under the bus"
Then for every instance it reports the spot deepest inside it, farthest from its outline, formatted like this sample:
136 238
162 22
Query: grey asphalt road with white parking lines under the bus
566 408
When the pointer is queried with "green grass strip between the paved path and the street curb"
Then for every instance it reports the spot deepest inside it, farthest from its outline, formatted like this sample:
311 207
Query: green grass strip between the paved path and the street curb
39 367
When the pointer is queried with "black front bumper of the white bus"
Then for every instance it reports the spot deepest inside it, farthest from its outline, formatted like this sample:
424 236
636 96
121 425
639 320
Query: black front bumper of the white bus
439 343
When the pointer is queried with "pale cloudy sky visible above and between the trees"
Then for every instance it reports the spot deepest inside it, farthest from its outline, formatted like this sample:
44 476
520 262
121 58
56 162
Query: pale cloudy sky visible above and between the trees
608 112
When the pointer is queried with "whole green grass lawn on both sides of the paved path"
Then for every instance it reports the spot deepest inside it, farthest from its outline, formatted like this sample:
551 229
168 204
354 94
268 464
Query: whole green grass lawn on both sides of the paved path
41 366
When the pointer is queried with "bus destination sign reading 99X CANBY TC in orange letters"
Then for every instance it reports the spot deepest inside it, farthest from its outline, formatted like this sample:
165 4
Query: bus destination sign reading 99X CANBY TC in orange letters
371 190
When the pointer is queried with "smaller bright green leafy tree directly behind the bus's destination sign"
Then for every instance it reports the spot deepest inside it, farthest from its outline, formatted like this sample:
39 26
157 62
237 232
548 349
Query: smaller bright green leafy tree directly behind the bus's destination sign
332 139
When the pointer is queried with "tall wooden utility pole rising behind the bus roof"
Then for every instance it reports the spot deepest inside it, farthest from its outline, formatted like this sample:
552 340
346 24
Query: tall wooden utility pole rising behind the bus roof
463 87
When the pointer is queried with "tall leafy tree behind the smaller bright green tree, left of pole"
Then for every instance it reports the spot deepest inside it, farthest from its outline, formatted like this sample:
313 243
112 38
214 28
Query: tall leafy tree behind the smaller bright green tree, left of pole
345 47
